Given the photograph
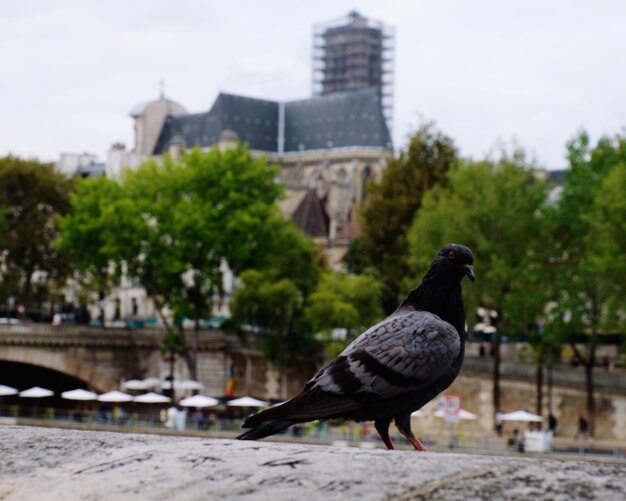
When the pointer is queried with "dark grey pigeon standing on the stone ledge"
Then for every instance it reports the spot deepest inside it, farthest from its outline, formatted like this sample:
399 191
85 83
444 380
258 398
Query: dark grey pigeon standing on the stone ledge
393 368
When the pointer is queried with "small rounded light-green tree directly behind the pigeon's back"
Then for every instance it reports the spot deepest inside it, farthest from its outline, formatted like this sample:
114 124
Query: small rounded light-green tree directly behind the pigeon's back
343 301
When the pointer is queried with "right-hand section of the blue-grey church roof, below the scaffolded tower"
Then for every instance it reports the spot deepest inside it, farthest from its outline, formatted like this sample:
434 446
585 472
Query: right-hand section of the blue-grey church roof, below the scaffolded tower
345 119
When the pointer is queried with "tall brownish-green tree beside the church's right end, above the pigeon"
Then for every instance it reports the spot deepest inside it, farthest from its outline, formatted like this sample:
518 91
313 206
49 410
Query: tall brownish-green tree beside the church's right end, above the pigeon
392 204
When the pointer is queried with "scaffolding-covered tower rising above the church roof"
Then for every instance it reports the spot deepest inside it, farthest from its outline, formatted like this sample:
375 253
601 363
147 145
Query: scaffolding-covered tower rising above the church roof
353 53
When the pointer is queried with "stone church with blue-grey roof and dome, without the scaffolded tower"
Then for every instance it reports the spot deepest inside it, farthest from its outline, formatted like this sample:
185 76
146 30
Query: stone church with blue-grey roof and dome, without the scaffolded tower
327 147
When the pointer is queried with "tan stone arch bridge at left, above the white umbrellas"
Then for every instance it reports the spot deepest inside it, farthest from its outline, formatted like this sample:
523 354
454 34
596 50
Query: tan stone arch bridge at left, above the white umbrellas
102 358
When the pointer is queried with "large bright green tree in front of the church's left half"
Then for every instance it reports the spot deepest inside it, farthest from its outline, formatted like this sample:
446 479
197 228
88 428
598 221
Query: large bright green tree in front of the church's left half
172 227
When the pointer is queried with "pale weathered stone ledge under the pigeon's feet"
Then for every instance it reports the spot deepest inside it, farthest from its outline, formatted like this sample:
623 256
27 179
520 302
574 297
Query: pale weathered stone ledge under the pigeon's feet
55 464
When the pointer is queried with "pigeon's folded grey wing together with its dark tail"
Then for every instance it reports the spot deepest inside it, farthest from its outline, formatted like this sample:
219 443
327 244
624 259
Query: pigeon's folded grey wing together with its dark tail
402 354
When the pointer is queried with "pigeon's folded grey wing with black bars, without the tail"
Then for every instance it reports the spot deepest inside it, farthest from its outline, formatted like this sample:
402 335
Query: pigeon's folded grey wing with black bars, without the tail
404 353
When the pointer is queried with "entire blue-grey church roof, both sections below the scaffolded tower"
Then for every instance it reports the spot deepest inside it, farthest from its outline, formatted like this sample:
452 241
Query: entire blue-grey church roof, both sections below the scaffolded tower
347 119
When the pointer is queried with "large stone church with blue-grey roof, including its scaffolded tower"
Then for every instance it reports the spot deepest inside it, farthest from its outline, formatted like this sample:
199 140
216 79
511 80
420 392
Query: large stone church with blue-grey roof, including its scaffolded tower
327 146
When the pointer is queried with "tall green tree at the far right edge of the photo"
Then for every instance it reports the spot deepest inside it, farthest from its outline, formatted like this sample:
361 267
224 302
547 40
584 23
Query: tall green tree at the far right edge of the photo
585 274
